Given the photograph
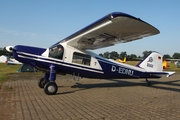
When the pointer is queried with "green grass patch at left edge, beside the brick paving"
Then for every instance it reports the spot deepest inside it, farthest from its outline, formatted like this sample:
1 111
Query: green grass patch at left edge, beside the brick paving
7 69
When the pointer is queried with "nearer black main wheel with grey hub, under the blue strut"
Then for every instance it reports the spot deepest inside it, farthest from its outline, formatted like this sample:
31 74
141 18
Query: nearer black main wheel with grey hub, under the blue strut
50 88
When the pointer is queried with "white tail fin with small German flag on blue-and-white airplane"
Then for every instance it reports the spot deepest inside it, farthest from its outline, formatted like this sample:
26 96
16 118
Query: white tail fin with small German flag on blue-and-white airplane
153 62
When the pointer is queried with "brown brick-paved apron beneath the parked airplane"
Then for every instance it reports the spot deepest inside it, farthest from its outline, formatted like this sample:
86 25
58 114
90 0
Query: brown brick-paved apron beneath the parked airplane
90 99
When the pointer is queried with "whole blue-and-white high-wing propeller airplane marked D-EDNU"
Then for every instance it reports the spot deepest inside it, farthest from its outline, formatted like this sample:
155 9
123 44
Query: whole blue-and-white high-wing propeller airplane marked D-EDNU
73 55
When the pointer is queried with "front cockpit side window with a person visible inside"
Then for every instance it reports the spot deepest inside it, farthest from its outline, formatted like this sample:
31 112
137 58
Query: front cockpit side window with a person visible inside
56 52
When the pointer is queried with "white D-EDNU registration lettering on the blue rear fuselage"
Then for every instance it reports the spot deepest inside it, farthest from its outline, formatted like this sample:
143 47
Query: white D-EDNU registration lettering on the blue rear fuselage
122 70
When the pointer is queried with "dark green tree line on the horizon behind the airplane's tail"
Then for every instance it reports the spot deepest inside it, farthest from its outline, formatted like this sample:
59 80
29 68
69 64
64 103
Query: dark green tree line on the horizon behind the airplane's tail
114 55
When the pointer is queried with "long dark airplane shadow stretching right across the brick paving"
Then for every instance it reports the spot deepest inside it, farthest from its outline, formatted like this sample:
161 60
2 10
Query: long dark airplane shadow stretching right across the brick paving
170 85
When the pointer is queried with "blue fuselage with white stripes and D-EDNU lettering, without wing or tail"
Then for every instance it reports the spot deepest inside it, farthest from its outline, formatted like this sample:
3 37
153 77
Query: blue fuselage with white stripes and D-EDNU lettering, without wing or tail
72 63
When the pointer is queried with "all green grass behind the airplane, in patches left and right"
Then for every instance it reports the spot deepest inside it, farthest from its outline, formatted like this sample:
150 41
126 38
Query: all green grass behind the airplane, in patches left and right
8 69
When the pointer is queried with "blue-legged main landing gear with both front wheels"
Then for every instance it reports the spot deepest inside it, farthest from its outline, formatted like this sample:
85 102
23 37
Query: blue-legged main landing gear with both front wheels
48 82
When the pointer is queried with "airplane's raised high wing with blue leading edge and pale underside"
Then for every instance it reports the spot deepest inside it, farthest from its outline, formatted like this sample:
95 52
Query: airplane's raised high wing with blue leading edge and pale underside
112 29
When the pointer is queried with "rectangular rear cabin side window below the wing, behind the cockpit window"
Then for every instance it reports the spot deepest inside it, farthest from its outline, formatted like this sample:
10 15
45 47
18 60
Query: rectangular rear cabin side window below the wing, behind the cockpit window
81 58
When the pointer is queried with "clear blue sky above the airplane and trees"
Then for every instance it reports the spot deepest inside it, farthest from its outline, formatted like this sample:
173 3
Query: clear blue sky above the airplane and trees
42 23
